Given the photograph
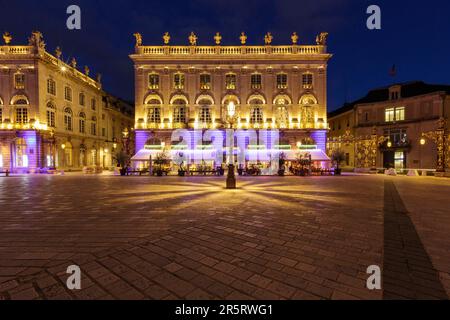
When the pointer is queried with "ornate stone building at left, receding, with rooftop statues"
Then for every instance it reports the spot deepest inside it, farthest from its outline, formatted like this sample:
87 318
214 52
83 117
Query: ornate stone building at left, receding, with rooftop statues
52 115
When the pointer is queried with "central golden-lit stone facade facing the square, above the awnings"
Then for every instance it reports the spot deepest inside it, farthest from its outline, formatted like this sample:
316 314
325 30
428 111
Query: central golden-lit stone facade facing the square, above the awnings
189 87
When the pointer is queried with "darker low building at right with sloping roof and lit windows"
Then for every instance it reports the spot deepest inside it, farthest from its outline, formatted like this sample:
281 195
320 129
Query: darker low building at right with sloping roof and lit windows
402 126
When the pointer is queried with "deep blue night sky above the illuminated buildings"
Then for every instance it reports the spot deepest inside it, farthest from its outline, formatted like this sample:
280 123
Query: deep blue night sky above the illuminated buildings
415 35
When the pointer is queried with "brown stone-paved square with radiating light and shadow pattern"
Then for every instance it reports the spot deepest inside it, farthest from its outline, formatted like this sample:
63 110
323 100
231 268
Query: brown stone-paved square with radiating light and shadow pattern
189 238
